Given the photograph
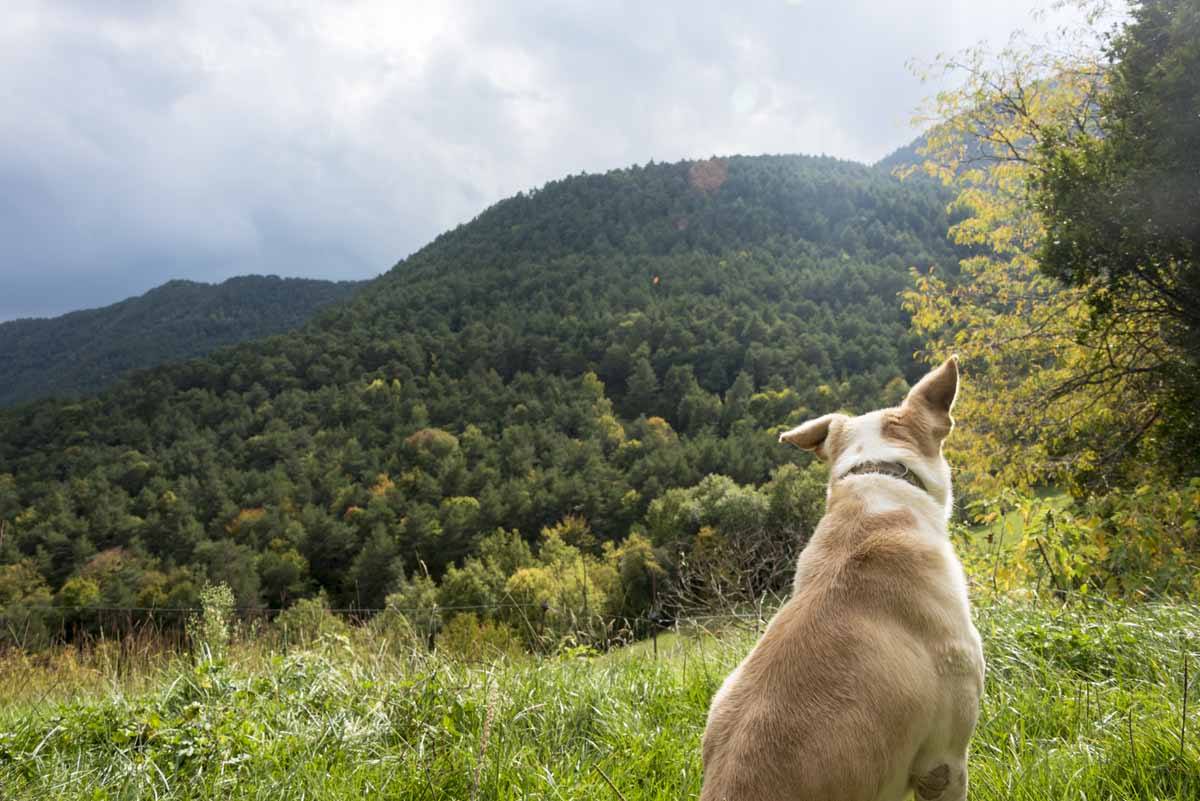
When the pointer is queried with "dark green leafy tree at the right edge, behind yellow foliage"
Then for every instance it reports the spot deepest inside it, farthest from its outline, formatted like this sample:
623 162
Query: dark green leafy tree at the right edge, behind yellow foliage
1123 212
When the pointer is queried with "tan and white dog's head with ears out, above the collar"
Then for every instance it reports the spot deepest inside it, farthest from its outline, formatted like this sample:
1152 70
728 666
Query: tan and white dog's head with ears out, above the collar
910 435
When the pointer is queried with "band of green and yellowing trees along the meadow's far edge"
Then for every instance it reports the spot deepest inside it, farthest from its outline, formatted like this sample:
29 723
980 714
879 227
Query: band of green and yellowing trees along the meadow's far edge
717 544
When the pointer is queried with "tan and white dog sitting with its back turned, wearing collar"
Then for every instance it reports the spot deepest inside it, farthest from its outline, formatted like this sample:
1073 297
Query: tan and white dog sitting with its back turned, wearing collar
867 684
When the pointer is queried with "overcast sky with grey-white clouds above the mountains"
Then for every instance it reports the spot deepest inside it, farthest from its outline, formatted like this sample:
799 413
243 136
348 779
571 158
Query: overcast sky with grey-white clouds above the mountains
143 141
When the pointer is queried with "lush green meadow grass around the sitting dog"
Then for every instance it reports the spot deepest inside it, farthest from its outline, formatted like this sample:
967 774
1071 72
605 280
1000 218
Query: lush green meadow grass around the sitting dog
1081 704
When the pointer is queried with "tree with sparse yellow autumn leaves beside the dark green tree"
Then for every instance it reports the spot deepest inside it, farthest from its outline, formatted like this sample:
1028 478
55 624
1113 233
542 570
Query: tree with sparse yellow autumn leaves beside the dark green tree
1043 407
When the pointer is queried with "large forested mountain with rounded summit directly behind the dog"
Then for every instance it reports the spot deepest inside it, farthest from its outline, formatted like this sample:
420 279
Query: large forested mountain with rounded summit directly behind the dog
565 360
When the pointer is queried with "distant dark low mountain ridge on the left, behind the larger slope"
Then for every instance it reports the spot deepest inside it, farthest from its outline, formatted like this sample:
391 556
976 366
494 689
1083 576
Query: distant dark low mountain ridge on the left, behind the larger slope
85 352
